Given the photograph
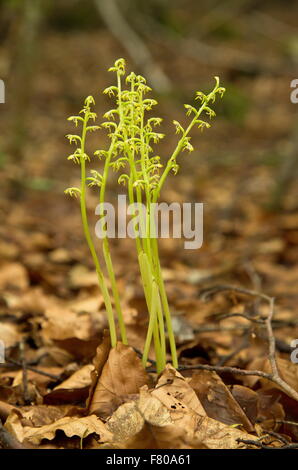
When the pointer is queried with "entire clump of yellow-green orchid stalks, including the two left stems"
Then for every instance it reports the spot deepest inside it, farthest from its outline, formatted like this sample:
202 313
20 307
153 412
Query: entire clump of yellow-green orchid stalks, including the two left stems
132 137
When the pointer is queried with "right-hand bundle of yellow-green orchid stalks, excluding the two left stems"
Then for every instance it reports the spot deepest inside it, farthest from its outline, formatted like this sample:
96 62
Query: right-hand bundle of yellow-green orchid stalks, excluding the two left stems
135 137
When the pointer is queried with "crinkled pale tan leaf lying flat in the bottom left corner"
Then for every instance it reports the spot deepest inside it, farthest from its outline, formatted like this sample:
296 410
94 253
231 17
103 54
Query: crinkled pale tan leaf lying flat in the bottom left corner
71 426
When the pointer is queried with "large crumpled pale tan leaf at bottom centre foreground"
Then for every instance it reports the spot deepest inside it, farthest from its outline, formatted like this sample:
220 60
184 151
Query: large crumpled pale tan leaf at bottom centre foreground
149 423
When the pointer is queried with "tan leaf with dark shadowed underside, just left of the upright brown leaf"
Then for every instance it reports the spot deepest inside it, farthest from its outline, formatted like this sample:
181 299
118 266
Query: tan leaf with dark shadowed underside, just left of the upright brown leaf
72 390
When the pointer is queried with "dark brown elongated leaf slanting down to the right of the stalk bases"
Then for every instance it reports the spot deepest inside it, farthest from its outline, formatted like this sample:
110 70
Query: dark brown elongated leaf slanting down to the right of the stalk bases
217 400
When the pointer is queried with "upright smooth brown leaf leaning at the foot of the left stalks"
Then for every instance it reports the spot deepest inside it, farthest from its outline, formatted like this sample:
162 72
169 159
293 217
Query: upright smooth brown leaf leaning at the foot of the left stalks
122 375
